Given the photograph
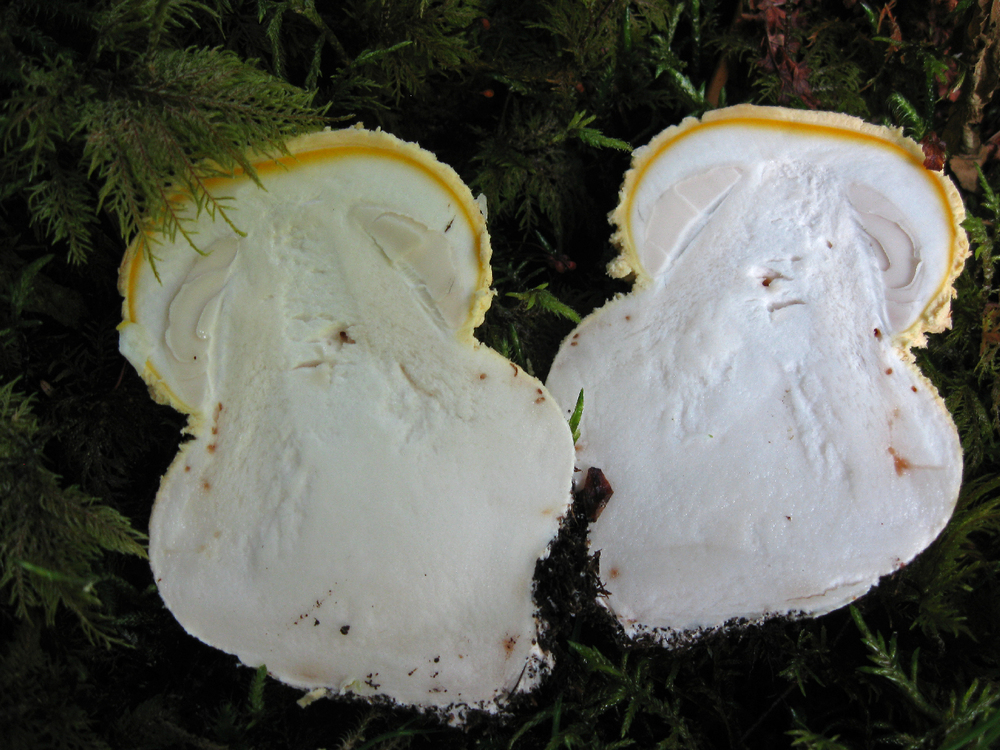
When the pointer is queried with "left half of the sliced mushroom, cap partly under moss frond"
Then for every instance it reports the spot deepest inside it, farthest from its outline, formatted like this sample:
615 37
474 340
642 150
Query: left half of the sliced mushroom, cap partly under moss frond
367 489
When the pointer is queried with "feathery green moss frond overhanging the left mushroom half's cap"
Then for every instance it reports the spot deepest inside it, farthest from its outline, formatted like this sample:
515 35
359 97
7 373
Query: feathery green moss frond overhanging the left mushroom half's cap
105 124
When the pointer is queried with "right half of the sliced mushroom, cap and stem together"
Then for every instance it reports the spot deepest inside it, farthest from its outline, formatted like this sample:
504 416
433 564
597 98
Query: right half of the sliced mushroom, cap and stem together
753 401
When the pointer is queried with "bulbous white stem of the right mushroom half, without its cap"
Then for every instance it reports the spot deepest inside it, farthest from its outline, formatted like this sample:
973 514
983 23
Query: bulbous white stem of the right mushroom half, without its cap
769 448
